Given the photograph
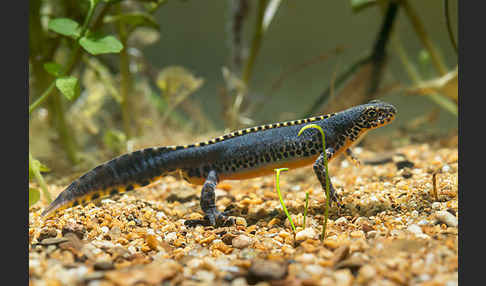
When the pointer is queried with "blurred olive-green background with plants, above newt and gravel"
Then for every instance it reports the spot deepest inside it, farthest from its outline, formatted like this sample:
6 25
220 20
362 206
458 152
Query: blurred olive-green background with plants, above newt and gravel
108 77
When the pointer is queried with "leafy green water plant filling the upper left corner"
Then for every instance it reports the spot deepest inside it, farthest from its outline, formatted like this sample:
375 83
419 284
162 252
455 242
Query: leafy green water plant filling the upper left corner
75 33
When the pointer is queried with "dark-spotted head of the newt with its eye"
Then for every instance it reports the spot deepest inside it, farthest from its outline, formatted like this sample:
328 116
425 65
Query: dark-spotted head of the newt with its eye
375 114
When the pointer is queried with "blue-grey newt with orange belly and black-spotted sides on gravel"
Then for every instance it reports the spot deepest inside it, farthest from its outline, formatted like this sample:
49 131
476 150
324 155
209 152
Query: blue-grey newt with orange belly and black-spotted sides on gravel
242 154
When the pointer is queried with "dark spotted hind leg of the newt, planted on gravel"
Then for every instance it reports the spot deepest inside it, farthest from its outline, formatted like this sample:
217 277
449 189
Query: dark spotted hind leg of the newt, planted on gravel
212 217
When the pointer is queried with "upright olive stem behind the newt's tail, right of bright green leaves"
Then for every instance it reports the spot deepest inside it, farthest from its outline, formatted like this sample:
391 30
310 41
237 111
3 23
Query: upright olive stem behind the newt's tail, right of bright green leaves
126 80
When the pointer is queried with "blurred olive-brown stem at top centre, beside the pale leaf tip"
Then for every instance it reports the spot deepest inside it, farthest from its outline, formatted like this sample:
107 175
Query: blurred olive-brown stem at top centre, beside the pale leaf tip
255 43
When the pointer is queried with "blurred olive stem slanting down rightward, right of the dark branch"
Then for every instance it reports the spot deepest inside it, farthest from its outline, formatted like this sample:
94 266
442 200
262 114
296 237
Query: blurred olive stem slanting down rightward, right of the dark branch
424 38
